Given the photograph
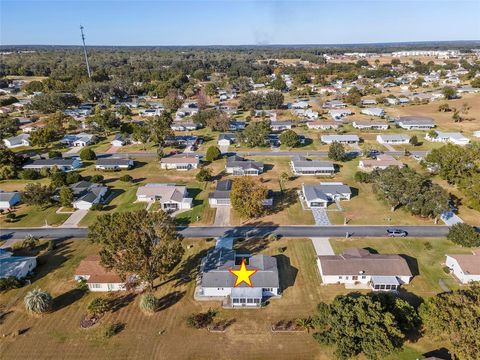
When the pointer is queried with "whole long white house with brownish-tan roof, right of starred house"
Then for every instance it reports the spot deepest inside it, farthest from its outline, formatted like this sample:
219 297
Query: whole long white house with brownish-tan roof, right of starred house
380 272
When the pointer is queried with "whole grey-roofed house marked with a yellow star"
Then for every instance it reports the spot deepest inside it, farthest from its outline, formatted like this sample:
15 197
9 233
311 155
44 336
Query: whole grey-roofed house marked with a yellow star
217 282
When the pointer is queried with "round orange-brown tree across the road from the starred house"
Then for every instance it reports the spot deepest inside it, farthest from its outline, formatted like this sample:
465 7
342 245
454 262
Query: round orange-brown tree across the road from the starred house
247 197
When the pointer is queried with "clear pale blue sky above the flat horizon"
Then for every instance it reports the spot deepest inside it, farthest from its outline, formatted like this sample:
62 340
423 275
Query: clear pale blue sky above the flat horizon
236 22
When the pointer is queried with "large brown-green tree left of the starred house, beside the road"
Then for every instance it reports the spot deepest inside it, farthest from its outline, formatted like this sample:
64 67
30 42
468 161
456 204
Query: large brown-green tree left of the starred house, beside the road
139 242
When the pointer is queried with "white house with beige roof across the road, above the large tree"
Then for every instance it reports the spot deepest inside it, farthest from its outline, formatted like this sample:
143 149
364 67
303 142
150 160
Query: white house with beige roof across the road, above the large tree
170 196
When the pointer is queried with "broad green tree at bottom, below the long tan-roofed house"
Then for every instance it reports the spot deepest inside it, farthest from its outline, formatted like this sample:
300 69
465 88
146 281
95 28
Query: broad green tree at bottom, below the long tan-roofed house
364 324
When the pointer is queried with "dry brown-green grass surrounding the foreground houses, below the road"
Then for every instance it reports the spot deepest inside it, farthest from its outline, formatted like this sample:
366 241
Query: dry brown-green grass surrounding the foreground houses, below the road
163 335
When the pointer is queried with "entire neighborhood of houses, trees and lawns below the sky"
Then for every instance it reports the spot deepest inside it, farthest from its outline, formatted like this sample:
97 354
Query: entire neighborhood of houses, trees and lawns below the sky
203 195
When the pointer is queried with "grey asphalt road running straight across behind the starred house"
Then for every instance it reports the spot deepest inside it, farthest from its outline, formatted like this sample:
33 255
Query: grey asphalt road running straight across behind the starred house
243 231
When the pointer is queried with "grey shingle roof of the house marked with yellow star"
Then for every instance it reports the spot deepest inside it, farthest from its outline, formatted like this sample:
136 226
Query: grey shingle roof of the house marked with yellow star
215 272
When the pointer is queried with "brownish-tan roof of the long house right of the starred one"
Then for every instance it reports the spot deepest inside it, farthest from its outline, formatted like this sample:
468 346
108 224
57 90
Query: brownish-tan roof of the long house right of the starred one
360 261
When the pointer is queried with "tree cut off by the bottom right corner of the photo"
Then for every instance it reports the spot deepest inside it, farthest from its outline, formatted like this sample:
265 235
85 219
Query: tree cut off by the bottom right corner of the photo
453 317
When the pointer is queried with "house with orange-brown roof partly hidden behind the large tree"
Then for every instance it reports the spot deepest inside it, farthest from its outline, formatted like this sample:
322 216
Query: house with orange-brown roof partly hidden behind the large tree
99 278
